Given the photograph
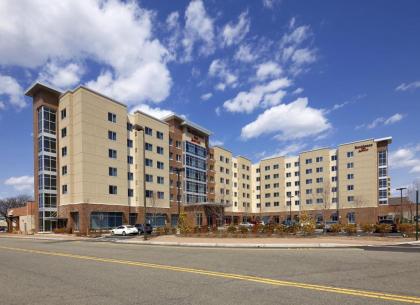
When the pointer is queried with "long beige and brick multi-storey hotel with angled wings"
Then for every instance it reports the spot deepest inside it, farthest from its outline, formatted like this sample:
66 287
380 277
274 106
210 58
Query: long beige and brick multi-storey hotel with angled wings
90 174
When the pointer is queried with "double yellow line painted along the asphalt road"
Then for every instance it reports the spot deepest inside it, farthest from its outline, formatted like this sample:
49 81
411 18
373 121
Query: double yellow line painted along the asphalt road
330 289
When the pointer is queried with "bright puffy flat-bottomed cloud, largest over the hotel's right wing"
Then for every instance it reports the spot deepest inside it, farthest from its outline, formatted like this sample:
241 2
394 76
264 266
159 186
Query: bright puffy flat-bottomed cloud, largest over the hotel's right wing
288 121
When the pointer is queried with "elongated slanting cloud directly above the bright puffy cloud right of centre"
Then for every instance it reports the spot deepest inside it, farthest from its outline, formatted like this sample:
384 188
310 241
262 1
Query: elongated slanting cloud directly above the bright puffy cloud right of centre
260 95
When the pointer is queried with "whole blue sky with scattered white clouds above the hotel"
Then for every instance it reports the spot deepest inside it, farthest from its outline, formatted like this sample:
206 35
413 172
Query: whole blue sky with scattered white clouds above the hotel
267 77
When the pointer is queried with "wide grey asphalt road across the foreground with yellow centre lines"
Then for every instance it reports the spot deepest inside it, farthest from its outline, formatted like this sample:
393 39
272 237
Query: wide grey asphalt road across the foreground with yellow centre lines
85 272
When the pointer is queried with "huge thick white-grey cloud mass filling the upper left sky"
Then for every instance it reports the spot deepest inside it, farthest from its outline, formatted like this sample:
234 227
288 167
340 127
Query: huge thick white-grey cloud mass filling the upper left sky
114 34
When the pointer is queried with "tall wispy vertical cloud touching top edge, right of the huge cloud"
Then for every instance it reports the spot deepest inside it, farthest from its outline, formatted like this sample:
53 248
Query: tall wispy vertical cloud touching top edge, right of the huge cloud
198 27
